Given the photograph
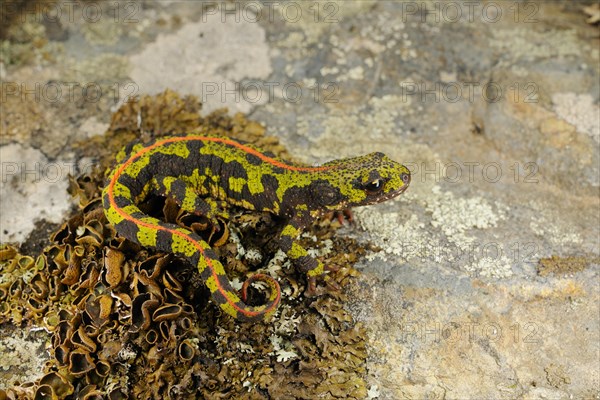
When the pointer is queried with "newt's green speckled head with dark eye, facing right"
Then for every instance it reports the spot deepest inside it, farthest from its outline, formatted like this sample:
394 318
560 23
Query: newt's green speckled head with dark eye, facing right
359 181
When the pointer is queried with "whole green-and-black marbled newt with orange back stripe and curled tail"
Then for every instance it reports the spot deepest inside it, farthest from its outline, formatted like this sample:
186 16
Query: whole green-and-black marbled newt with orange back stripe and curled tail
204 174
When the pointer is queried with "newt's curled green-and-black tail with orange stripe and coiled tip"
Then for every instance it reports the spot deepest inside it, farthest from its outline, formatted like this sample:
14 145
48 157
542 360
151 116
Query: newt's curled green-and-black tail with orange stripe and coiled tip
147 231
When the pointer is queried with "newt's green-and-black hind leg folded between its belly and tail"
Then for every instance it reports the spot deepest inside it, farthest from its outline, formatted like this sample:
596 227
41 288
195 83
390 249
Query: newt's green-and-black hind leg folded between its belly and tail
189 199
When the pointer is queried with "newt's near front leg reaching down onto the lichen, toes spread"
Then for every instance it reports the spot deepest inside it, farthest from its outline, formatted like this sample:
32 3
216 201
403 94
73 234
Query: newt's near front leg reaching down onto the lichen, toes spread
288 242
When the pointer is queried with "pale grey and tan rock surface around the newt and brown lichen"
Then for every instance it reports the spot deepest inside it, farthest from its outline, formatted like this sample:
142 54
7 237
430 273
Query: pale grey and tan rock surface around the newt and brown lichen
493 106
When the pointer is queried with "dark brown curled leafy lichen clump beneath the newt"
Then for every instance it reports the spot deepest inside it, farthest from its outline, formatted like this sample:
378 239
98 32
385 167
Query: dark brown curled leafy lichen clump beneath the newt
127 322
